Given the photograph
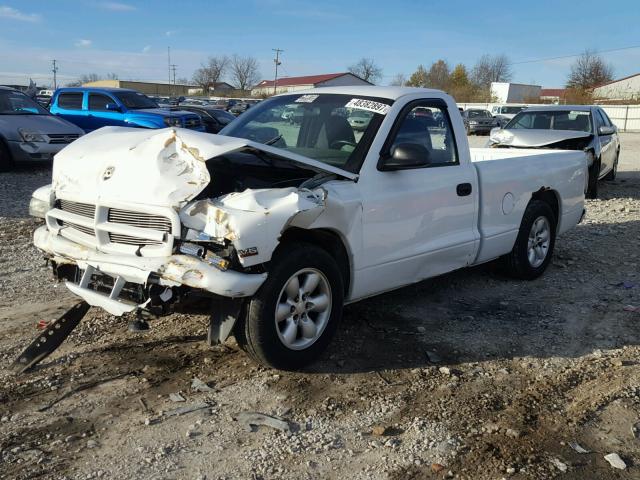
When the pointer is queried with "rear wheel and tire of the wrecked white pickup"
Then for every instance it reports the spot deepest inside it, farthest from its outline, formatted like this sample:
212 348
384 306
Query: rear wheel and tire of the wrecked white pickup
534 245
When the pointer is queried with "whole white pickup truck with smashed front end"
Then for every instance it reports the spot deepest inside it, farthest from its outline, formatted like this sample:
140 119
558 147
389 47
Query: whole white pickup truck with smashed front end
282 223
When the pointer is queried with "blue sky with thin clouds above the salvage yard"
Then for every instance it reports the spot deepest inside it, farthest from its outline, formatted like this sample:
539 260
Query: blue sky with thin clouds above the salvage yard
130 38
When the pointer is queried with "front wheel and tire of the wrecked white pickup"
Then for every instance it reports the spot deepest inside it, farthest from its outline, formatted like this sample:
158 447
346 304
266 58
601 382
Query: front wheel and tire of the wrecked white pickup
291 319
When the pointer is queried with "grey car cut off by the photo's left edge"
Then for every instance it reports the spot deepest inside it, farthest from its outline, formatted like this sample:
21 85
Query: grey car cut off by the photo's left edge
28 132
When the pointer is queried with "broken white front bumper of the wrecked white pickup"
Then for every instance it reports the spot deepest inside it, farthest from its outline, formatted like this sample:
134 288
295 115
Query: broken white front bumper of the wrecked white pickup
171 271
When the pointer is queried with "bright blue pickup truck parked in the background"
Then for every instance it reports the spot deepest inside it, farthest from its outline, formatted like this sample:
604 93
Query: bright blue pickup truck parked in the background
92 108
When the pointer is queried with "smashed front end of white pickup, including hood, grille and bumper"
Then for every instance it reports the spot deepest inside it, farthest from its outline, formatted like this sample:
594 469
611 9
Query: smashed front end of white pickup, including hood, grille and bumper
139 219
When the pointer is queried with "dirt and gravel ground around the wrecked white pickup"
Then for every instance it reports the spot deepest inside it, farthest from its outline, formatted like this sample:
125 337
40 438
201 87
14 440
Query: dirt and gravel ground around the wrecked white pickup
470 375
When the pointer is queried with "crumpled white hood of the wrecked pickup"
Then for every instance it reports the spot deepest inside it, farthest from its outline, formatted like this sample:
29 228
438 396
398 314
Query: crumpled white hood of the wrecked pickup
163 167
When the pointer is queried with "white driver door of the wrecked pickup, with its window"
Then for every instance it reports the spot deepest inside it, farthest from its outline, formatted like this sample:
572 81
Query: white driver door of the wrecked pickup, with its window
418 222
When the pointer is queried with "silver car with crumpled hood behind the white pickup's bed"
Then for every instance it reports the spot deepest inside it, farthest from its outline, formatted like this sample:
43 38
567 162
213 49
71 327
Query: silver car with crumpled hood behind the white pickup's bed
567 127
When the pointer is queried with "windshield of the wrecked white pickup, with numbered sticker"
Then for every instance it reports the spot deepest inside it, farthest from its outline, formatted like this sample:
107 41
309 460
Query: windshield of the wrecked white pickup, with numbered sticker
315 126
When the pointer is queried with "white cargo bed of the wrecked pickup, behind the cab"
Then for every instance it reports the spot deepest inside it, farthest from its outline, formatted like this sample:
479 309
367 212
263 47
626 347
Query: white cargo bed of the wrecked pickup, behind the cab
505 190
